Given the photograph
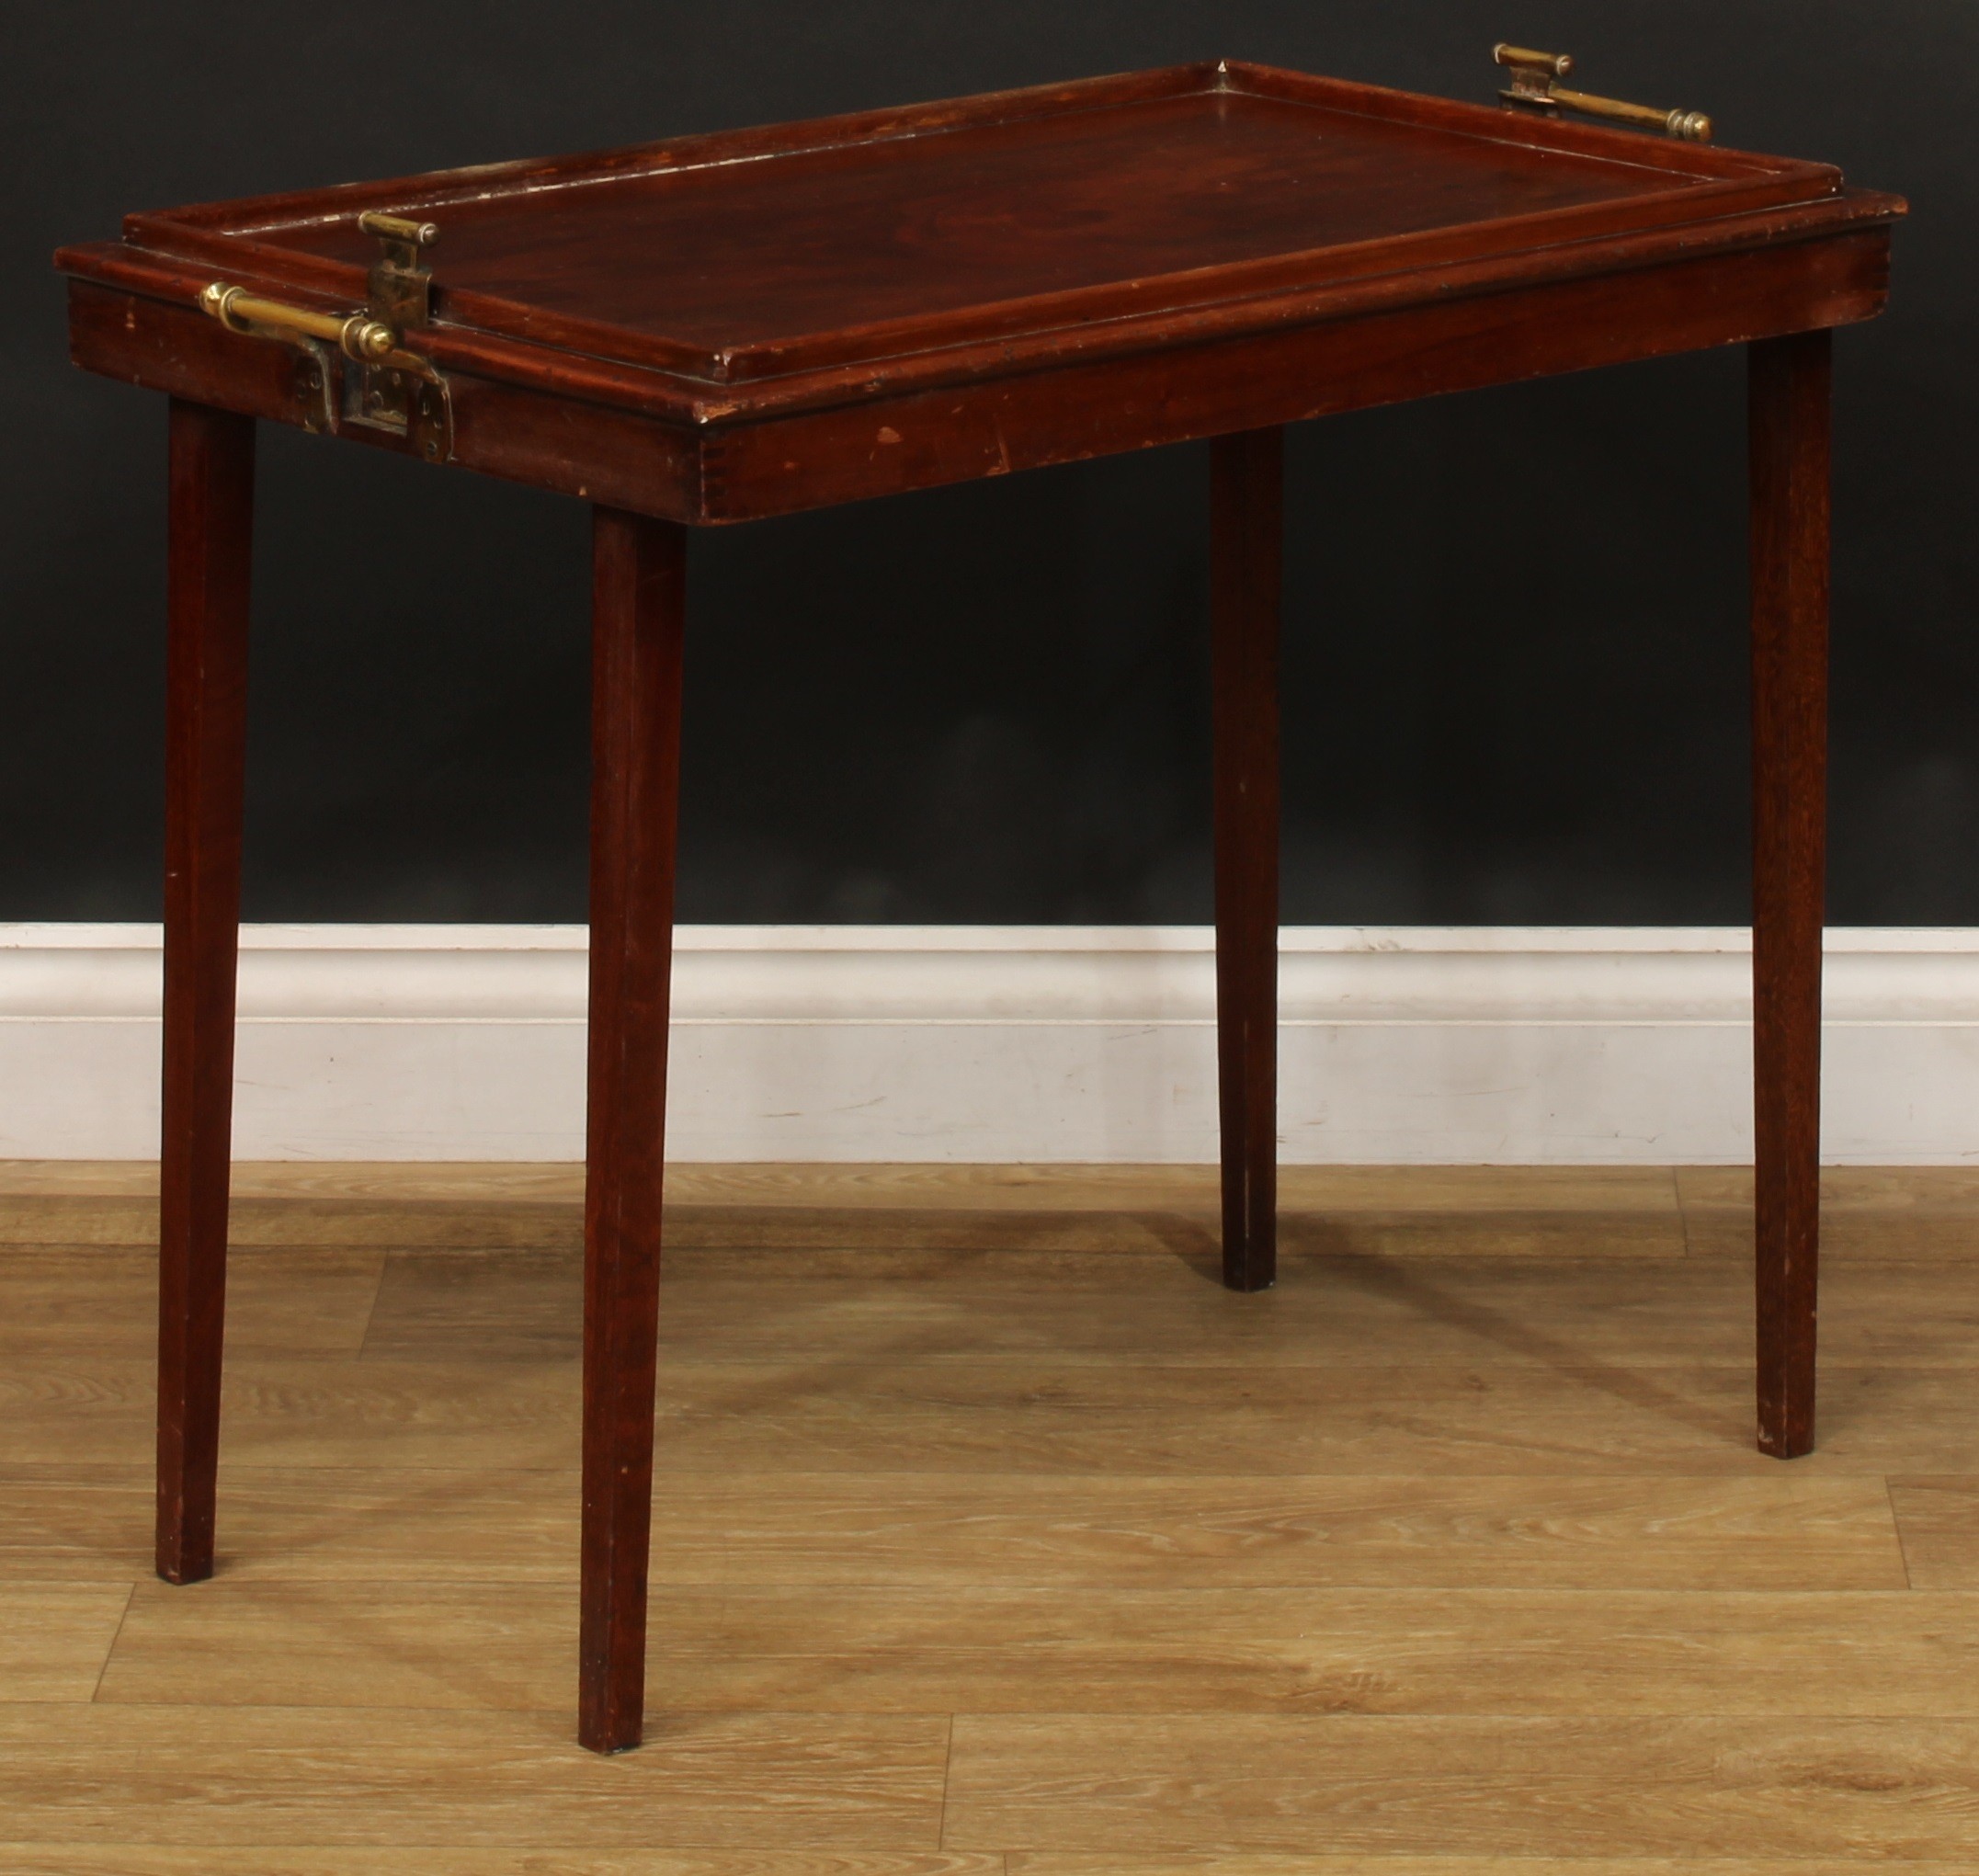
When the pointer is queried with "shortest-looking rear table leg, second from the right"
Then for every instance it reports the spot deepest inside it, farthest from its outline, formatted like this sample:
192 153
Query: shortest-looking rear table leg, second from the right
1246 510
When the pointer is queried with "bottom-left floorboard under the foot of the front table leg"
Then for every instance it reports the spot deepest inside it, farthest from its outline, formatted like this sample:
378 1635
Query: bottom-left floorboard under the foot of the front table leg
454 1780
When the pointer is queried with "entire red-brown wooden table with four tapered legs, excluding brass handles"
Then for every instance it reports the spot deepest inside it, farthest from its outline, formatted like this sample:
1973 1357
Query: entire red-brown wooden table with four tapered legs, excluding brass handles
763 322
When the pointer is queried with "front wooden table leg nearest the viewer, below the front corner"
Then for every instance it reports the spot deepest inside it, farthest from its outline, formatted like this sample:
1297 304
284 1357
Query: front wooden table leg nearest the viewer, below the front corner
638 614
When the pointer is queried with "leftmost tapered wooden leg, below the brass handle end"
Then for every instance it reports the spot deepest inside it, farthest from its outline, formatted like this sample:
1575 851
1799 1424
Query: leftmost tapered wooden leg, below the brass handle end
205 761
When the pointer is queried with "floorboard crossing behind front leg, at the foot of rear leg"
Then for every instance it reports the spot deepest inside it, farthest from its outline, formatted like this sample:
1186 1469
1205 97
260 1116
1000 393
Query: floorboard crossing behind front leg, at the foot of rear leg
1177 1313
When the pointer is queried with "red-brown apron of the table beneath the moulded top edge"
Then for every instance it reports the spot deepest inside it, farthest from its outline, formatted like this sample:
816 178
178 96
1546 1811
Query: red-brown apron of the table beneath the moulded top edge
1076 411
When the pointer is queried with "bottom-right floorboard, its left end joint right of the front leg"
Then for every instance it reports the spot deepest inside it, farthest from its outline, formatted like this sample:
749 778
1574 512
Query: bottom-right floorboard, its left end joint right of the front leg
1503 1788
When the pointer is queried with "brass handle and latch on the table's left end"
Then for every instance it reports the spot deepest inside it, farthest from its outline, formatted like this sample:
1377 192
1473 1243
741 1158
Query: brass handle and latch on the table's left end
355 367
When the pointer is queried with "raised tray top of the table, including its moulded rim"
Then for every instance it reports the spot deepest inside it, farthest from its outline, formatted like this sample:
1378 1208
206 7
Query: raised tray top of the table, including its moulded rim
854 240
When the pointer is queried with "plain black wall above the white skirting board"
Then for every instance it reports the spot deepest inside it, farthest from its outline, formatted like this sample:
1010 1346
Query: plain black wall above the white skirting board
990 703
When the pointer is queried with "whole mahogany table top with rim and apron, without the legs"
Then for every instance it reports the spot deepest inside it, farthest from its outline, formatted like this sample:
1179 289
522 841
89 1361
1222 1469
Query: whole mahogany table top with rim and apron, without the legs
763 322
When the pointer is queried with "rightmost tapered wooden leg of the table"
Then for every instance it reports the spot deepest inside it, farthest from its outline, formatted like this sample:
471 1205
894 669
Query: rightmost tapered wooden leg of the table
1790 715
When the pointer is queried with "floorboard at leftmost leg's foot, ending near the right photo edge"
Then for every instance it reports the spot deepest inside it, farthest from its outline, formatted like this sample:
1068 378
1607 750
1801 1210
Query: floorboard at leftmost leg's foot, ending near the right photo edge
935 1533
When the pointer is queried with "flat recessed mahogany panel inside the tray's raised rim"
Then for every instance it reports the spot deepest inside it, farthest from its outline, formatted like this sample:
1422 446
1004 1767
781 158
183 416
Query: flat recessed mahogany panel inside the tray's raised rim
866 246
